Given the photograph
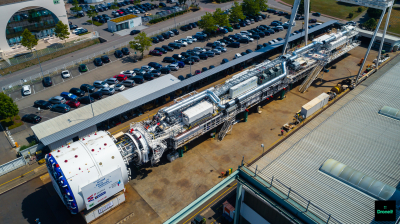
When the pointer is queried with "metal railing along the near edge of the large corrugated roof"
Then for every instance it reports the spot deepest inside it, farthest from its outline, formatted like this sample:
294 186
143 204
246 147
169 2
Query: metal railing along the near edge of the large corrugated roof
296 197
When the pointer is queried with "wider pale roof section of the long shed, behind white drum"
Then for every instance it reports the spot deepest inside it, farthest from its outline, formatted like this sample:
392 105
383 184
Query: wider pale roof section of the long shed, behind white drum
76 120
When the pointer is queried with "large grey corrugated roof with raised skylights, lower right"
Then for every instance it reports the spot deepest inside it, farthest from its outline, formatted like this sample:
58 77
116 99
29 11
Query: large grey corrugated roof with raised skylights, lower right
355 135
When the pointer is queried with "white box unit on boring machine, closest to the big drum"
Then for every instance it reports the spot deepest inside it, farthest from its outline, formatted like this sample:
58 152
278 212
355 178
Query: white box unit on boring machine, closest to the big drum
193 114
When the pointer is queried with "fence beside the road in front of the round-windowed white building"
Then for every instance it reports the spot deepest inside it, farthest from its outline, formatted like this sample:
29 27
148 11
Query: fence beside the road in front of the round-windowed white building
40 53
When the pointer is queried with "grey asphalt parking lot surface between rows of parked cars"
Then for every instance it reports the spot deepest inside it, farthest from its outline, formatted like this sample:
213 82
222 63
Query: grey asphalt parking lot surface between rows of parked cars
126 63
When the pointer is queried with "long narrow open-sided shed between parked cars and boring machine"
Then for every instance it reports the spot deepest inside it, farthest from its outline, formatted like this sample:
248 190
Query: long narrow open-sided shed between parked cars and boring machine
67 128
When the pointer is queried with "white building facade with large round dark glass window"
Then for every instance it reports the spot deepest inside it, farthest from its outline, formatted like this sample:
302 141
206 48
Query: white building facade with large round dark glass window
38 16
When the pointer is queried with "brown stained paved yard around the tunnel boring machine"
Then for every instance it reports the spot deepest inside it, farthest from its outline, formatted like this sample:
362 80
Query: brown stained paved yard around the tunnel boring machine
168 187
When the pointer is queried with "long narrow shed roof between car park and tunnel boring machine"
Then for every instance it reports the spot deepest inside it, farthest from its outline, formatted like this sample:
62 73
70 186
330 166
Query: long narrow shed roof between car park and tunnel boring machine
146 94
